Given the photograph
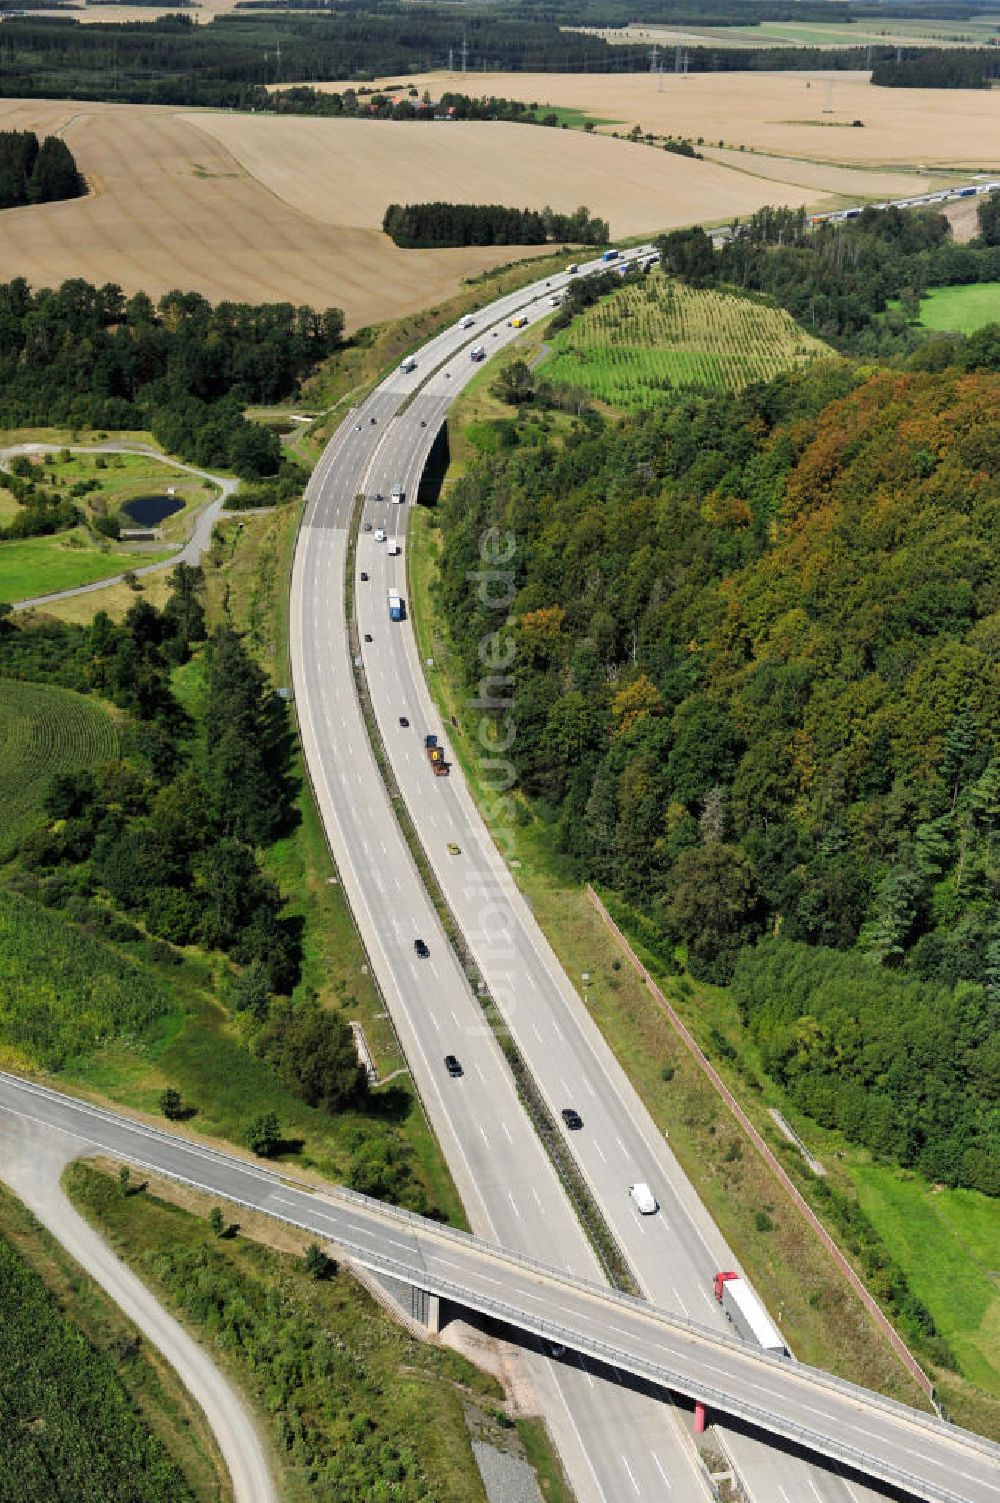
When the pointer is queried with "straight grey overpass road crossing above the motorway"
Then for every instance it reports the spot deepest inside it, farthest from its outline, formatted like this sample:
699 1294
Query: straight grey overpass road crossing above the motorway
927 1457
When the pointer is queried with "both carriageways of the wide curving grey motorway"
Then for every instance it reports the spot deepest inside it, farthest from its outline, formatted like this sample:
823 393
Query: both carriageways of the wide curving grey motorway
674 1254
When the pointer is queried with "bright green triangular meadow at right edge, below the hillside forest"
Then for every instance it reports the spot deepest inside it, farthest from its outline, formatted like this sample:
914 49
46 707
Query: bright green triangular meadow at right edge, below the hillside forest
950 1245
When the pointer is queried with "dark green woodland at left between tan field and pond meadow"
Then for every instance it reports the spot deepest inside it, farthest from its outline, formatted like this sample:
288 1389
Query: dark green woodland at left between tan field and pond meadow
85 357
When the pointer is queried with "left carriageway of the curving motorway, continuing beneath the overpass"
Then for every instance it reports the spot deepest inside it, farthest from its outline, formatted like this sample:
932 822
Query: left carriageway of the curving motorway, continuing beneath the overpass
506 1181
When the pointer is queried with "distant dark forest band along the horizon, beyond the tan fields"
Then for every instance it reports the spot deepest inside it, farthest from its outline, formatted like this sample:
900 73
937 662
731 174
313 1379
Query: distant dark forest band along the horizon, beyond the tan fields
231 61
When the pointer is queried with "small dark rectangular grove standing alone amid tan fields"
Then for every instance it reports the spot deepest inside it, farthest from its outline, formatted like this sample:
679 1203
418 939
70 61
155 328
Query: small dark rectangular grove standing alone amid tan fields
437 225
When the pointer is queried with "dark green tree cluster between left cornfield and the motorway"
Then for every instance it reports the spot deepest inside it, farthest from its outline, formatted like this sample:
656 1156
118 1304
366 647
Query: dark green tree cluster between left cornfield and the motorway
172 832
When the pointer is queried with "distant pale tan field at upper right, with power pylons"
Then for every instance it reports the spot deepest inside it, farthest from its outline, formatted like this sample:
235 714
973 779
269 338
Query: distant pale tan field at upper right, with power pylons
790 115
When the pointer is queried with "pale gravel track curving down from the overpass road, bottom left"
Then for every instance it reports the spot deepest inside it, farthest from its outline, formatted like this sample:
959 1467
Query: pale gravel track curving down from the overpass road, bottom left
32 1164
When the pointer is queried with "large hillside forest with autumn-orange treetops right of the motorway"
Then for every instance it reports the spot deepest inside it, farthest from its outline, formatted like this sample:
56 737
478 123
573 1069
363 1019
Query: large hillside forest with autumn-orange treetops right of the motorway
756 695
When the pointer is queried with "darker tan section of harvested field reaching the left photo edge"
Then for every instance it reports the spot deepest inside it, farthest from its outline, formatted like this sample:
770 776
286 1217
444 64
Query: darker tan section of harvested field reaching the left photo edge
171 208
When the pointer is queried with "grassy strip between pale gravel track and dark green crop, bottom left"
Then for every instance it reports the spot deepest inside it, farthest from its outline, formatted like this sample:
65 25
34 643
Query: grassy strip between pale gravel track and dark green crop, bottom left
154 1390
